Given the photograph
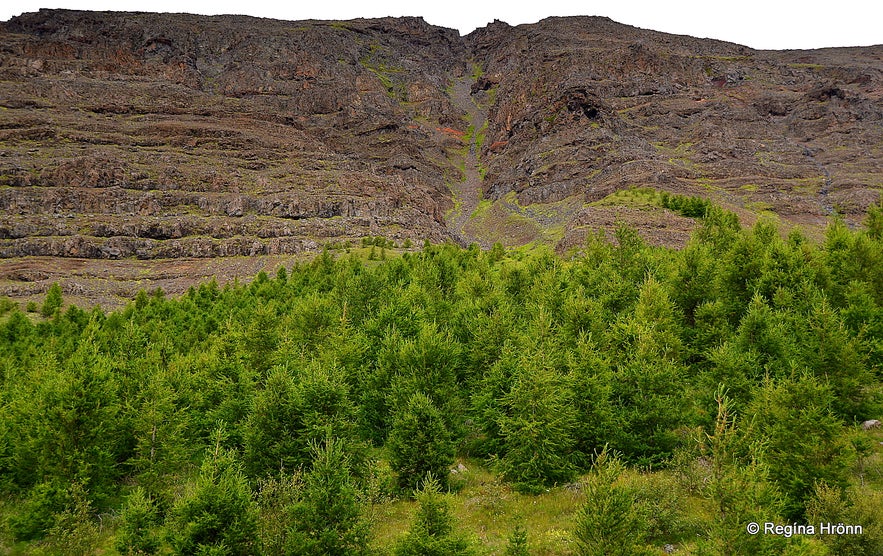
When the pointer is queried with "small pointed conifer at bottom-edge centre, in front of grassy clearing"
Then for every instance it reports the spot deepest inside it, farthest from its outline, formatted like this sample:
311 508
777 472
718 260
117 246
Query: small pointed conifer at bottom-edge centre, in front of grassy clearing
433 532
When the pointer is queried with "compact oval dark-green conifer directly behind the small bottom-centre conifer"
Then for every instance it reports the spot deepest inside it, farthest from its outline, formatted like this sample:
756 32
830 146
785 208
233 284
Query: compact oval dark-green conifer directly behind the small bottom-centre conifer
419 443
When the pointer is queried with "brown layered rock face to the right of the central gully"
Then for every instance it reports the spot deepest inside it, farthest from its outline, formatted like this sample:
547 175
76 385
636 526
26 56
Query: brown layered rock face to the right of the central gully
587 107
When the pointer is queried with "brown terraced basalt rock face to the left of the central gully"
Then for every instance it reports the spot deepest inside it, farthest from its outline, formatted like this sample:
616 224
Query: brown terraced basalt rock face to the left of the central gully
182 136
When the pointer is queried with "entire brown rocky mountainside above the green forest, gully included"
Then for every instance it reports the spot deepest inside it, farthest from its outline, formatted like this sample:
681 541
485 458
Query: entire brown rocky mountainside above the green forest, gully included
157 137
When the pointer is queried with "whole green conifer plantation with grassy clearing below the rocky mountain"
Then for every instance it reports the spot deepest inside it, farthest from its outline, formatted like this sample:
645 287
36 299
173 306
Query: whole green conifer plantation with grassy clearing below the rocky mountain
627 398
